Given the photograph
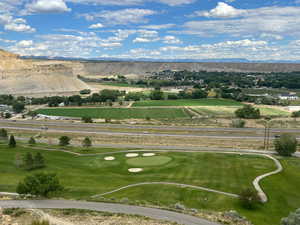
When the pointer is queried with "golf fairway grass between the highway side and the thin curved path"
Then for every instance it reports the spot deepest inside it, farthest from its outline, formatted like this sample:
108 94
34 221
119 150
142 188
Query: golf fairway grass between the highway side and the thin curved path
90 175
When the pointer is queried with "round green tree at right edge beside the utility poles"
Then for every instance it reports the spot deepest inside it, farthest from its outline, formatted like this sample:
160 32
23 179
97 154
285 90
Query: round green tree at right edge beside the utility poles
286 144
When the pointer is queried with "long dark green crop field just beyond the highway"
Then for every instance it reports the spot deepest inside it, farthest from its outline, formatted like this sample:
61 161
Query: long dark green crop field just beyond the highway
116 113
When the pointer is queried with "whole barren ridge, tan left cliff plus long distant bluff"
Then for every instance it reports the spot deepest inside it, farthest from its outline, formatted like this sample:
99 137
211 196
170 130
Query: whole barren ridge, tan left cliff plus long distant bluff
20 76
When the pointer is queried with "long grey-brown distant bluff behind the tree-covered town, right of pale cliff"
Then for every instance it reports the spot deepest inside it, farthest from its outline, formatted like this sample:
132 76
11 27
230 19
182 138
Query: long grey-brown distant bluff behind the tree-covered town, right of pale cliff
142 68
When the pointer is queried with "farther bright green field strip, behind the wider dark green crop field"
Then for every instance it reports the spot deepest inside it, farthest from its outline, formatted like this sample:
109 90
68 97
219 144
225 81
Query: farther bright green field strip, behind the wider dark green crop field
188 102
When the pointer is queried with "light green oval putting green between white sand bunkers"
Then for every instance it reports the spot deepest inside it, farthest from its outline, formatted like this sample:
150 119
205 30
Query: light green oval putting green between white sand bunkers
148 161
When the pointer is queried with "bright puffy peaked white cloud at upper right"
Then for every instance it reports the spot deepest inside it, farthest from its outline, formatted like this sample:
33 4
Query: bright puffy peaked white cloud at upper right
222 10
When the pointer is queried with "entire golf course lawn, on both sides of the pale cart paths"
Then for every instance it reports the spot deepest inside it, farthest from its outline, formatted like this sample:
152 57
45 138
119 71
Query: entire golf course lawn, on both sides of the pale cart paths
90 175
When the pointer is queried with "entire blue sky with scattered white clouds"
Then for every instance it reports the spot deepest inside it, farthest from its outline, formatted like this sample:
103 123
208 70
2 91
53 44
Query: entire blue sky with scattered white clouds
162 29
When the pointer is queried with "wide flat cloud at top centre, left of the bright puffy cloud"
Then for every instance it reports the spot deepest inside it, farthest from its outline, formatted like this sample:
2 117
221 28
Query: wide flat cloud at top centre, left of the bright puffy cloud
123 16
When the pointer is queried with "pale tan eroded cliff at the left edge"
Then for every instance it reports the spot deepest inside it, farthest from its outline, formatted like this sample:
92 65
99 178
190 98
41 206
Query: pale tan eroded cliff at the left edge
18 76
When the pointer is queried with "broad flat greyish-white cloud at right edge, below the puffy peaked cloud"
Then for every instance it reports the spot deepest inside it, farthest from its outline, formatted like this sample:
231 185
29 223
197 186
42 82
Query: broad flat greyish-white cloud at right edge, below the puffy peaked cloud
272 20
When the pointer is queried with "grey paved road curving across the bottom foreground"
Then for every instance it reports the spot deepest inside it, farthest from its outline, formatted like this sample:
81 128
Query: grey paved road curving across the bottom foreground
108 207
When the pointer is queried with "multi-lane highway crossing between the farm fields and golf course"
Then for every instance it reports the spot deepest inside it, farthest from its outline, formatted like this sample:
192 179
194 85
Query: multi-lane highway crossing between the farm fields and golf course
96 129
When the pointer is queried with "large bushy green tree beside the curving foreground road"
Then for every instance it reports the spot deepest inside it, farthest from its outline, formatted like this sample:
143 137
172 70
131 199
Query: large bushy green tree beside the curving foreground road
40 184
